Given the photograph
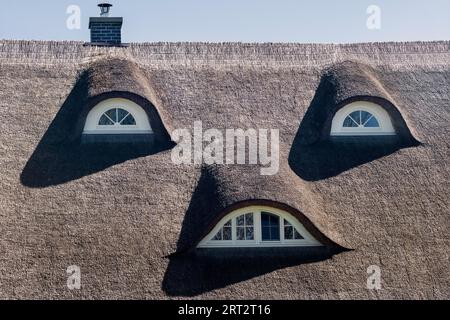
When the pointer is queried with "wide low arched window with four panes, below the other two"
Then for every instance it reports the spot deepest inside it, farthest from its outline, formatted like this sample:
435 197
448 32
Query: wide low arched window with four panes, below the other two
258 226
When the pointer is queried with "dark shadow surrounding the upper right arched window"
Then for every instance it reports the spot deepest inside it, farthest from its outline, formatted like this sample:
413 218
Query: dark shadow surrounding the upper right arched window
315 156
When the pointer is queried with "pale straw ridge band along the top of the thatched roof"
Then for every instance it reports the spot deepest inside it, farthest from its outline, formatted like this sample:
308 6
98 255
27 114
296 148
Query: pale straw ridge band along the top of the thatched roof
378 53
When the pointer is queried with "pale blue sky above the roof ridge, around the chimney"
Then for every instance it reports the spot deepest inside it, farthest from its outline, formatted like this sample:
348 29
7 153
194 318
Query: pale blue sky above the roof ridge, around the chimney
322 21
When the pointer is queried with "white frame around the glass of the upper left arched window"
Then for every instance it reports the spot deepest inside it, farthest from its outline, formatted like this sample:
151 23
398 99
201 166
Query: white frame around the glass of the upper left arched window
140 116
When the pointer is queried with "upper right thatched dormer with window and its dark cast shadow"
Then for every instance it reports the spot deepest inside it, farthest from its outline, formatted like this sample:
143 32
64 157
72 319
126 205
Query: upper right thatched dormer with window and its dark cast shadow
352 120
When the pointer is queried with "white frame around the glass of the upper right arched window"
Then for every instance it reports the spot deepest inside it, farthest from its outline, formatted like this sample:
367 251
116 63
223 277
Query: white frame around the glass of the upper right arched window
384 120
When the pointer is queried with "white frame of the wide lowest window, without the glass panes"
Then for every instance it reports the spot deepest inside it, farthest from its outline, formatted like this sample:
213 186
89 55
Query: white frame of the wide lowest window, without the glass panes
307 241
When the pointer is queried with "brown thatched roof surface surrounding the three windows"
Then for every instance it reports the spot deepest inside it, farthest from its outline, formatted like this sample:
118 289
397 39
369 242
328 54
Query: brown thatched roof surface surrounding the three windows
130 218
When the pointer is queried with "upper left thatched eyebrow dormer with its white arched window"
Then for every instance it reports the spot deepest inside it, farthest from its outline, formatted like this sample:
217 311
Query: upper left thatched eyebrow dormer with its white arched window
121 106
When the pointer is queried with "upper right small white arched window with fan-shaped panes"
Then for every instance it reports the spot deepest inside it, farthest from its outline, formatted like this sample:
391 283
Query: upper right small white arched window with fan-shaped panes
362 118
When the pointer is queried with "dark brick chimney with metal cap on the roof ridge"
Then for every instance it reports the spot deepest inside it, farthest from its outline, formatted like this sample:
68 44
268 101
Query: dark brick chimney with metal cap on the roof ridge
106 30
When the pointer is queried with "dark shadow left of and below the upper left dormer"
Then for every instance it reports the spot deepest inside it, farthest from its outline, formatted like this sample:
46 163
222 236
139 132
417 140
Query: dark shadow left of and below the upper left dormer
60 156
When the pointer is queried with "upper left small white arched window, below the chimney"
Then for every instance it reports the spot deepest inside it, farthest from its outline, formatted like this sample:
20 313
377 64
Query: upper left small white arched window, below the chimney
117 116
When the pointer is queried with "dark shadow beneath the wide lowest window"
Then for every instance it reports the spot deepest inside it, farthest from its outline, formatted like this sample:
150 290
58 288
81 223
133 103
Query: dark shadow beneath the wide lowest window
205 270
